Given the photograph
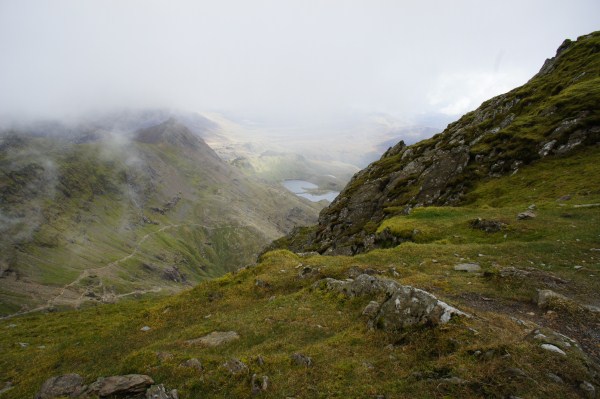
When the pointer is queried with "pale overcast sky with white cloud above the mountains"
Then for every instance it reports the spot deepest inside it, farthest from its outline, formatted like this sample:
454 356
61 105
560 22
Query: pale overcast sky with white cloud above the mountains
276 60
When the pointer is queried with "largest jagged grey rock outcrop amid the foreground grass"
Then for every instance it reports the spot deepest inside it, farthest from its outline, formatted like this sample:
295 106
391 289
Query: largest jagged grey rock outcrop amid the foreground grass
400 306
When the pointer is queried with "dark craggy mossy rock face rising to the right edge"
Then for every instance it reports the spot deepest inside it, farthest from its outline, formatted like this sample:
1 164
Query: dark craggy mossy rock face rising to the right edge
554 113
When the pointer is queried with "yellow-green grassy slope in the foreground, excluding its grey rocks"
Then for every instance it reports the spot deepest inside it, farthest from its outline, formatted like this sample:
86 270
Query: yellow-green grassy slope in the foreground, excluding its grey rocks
277 311
